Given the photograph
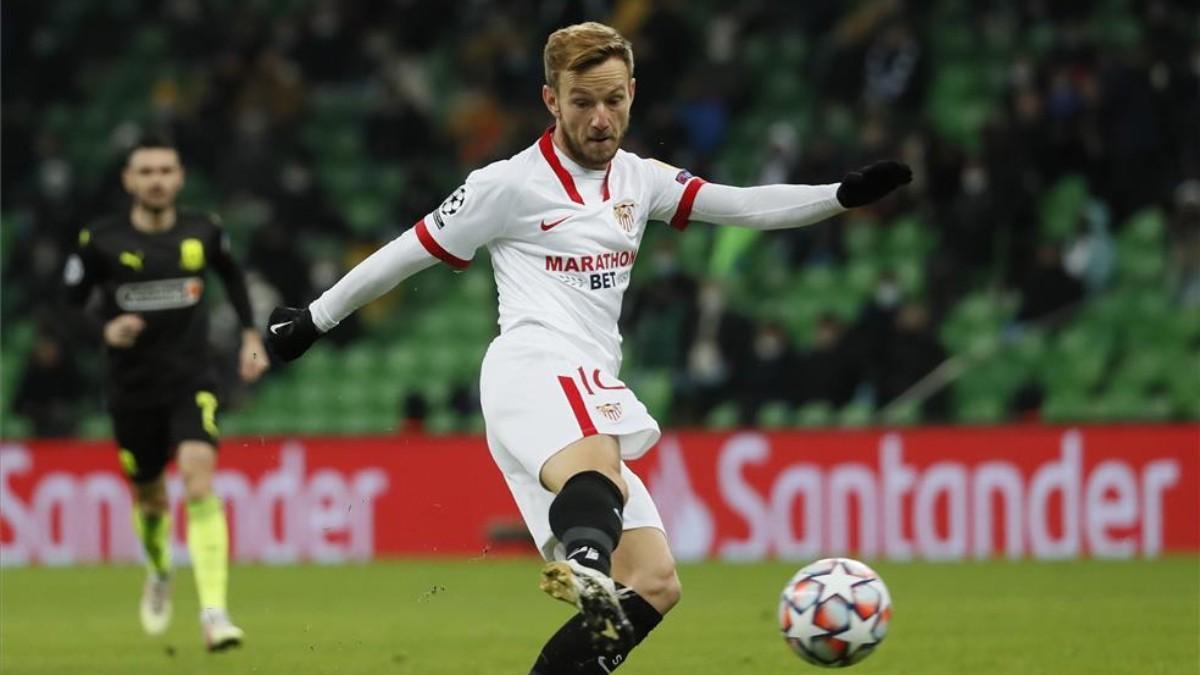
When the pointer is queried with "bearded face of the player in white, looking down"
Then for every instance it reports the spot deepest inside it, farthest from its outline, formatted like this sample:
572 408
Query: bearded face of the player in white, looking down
592 111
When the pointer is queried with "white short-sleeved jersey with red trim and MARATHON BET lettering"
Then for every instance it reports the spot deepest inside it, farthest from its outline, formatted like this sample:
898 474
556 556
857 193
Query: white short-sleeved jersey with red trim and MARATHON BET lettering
563 240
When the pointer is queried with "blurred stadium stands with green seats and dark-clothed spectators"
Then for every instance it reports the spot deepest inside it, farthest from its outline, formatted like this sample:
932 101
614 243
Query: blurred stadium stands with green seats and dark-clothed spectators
1057 151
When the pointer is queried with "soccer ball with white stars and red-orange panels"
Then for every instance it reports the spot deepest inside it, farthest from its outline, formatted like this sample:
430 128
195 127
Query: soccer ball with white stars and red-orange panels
835 612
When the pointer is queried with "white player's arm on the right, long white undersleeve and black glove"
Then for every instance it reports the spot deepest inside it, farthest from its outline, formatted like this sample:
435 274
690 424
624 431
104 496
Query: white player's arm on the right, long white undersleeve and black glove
777 207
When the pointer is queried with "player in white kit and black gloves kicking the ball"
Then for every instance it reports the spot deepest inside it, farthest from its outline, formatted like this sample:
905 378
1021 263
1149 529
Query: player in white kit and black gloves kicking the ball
562 222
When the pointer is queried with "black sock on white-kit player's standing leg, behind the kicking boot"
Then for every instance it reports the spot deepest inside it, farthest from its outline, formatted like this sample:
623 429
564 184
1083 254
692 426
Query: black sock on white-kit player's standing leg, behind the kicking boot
573 650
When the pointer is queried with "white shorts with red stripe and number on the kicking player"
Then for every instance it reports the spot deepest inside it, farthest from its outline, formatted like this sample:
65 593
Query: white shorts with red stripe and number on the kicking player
542 393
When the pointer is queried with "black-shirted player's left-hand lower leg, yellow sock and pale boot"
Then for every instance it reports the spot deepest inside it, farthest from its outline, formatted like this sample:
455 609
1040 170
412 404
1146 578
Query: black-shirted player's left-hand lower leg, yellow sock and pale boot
152 523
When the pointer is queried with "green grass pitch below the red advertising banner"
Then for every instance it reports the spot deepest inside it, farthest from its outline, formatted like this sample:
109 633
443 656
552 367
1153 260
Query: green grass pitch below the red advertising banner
488 617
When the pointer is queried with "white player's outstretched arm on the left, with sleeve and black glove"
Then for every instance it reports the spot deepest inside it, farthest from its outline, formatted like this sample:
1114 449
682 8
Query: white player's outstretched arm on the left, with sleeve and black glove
469 219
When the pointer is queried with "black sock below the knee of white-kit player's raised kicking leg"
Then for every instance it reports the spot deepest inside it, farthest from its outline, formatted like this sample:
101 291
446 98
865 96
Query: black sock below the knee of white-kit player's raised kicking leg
586 518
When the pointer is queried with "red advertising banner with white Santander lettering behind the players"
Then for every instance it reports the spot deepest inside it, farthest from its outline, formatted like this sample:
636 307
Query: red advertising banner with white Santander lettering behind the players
932 494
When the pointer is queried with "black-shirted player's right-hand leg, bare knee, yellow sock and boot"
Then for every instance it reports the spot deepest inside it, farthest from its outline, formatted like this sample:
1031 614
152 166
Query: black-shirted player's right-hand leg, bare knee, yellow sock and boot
208 542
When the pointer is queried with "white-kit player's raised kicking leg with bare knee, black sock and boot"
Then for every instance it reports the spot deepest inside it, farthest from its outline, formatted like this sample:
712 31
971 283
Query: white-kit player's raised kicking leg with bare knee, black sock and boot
586 517
